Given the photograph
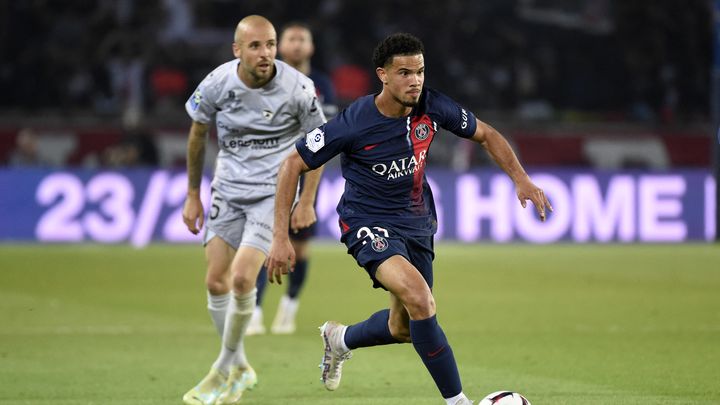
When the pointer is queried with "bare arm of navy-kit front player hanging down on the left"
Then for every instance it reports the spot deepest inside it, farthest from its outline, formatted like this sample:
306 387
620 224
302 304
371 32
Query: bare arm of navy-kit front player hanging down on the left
282 256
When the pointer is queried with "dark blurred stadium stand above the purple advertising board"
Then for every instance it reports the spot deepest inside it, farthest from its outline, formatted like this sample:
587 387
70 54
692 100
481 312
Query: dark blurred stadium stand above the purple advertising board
601 83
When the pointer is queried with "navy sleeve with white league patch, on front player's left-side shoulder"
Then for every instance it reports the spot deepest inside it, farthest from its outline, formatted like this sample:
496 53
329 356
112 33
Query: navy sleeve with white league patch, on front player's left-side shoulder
324 142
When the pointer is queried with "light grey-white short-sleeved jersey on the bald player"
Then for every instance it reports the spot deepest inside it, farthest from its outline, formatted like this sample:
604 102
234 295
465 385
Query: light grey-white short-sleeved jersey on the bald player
256 128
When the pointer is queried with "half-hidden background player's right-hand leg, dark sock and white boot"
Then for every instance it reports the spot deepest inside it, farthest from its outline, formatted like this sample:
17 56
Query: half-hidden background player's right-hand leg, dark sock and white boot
284 321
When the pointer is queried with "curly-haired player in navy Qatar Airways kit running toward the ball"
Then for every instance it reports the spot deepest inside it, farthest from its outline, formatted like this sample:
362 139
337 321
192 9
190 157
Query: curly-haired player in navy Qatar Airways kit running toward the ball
387 214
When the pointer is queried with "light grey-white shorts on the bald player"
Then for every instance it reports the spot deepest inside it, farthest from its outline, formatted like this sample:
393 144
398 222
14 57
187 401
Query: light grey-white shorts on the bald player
242 221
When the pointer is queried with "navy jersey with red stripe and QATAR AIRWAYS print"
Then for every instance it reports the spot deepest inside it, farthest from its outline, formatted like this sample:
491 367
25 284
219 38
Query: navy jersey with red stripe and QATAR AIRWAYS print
383 160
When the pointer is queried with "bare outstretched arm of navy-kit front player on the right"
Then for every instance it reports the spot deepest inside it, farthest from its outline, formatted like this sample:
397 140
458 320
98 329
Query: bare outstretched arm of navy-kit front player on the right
499 149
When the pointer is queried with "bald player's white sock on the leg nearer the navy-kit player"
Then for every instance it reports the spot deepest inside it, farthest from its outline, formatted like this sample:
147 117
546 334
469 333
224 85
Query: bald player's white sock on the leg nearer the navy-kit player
236 322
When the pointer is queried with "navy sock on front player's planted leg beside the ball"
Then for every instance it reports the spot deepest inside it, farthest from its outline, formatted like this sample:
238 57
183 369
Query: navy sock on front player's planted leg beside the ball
434 350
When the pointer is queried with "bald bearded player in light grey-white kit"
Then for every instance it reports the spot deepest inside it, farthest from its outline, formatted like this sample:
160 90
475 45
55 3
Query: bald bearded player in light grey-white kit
260 106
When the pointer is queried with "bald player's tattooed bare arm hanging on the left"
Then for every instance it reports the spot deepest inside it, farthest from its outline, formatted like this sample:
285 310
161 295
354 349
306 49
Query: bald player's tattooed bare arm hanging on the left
193 212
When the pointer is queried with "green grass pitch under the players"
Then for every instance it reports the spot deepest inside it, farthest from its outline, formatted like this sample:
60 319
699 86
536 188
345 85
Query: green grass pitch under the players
562 324
